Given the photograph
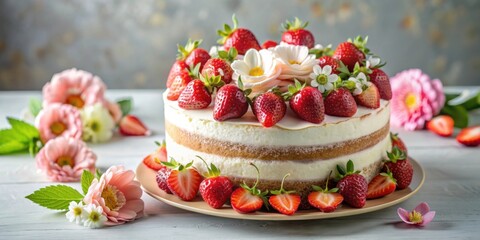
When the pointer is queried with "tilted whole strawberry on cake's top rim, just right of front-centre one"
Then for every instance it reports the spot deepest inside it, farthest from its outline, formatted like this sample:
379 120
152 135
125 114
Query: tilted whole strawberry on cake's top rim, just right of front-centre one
306 102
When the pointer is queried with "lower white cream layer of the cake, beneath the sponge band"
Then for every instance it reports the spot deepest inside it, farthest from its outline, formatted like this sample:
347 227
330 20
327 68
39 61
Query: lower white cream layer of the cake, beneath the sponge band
275 170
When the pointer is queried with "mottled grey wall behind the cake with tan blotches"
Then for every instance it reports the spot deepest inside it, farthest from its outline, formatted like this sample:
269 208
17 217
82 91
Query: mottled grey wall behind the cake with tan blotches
132 44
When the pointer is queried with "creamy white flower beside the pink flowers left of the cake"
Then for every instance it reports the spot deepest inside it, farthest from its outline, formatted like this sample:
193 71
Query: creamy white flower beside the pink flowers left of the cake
97 122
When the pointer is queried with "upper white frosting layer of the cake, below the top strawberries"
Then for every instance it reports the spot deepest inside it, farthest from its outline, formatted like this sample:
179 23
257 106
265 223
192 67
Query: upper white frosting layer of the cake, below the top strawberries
247 130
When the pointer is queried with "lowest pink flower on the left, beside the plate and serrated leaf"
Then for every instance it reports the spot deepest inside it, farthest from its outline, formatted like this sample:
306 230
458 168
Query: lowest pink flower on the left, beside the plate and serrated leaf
118 194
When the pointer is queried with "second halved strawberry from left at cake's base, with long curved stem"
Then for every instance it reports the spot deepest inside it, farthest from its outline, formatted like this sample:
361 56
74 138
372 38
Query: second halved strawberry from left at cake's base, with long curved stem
247 199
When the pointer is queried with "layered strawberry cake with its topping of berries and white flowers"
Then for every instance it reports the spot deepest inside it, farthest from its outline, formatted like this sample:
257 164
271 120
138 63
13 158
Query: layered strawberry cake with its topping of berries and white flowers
289 108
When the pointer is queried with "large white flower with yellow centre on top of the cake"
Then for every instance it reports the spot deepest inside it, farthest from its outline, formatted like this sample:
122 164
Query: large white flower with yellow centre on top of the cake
258 70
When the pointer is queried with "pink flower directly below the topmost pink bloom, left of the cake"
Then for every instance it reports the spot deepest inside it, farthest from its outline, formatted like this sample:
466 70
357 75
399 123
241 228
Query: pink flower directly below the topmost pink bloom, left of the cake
59 120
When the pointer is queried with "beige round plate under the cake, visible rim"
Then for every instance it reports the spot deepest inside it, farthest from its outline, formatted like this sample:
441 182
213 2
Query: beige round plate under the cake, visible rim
146 176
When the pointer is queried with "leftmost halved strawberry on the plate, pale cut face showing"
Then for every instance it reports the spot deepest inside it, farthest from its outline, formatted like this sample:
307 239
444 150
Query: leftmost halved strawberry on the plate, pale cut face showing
183 180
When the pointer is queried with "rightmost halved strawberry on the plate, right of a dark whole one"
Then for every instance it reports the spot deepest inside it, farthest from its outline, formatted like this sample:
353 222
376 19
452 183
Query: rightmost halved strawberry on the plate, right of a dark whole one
381 185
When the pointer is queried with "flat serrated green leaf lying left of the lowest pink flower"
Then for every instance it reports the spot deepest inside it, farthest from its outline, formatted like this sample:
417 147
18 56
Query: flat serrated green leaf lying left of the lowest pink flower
56 197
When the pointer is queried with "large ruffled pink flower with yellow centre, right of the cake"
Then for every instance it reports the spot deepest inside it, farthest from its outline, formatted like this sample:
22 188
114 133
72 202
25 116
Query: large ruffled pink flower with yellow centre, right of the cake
416 99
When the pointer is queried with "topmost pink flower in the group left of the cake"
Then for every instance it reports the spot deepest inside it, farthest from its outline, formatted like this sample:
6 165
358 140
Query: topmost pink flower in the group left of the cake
74 87
